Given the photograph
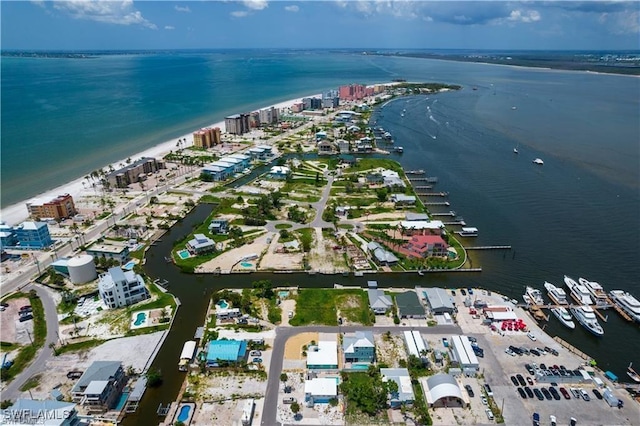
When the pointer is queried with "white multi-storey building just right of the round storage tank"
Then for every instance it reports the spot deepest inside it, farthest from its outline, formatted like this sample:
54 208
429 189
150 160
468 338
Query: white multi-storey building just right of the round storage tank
119 288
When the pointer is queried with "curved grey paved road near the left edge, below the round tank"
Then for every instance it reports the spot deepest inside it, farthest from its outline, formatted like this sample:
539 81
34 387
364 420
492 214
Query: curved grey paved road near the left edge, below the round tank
12 391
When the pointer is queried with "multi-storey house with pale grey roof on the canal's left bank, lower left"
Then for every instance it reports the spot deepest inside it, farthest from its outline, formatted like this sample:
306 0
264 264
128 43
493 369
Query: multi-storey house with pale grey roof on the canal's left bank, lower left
100 386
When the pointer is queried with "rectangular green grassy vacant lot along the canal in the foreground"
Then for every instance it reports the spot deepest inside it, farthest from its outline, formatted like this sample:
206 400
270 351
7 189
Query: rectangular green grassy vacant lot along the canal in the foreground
320 306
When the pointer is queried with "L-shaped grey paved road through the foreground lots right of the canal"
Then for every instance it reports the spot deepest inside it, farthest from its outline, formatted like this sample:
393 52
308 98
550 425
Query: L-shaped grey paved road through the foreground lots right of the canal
269 412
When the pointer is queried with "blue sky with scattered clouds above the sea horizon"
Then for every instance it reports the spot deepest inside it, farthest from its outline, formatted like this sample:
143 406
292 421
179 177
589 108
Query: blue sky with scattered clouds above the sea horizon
382 24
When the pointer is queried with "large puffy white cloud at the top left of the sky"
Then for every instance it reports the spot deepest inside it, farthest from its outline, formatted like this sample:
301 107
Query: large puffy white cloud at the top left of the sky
110 12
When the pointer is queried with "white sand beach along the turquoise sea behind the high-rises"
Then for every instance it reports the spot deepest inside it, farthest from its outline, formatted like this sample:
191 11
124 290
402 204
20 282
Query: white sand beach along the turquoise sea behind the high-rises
16 213
